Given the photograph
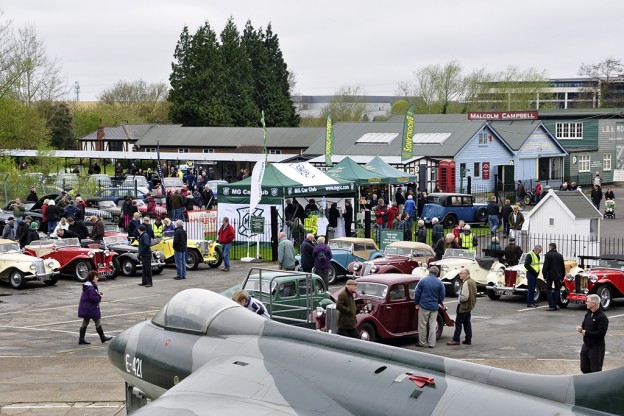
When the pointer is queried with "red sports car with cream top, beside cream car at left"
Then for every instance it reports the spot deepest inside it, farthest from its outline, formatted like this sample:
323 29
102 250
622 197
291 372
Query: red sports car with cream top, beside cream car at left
75 259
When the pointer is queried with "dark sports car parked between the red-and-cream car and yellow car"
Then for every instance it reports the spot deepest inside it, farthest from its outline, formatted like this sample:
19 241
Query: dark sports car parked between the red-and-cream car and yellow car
127 255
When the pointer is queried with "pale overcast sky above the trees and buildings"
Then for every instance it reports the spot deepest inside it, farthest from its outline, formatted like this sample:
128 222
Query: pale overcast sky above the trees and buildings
327 43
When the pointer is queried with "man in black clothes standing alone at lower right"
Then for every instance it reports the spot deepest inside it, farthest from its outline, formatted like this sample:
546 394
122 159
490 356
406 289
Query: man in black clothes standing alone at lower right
594 329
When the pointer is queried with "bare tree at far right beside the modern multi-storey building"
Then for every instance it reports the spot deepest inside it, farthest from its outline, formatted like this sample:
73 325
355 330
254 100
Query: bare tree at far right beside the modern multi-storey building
606 73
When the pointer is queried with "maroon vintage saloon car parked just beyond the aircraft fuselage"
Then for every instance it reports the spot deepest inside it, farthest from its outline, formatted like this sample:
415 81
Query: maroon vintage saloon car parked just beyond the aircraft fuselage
386 309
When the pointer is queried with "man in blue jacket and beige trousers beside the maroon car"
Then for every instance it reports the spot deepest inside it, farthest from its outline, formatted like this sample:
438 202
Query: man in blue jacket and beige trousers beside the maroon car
429 293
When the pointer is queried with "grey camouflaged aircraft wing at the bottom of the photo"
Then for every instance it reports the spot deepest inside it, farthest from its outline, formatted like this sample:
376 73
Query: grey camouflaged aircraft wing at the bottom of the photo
242 386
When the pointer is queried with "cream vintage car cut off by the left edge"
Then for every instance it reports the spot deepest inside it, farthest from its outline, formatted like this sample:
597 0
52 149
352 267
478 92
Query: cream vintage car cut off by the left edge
18 268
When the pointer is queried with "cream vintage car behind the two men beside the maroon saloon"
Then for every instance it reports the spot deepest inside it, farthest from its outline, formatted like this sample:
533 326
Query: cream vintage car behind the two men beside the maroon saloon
455 259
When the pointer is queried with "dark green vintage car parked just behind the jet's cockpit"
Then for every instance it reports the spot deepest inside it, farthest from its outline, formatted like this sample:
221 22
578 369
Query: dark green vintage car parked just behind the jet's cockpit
290 297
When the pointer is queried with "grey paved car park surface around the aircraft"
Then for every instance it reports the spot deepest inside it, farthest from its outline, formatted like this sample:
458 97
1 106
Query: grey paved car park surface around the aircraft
45 372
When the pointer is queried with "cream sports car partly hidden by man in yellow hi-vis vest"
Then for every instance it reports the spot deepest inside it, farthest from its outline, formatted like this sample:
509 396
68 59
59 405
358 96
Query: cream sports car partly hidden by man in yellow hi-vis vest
511 280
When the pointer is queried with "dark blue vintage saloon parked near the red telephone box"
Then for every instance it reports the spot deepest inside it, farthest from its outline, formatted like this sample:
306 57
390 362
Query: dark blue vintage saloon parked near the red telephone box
450 208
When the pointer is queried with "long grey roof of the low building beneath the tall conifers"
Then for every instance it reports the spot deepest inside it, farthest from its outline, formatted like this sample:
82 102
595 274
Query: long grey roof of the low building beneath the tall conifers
296 137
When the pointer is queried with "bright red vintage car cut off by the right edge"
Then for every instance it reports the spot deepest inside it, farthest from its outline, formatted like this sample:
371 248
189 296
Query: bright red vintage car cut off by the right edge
605 278
